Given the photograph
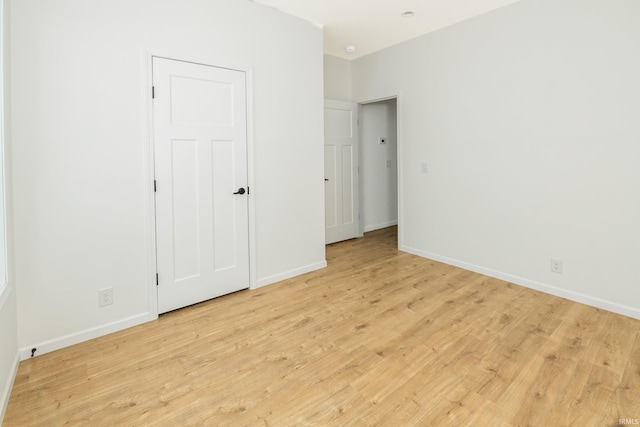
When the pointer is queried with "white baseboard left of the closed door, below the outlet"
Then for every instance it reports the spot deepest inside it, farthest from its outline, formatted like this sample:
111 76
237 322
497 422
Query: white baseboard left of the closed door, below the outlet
87 334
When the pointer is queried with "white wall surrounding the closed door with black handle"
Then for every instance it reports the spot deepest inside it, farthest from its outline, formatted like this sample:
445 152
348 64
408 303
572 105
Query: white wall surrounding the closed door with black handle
80 131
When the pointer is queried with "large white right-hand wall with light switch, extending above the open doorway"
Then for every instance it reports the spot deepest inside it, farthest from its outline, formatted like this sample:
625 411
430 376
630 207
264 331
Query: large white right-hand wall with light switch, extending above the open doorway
527 117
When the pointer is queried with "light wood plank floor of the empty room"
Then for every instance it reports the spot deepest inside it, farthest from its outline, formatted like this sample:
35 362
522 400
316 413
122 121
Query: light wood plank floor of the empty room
379 337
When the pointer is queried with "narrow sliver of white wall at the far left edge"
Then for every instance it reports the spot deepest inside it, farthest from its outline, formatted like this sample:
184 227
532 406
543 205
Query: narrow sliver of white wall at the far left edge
8 315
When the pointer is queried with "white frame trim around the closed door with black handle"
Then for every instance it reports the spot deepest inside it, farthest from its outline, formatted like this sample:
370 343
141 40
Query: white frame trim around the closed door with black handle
150 175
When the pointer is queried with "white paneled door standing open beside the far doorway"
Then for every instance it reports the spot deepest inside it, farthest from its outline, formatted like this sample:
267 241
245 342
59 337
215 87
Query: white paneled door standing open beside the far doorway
342 219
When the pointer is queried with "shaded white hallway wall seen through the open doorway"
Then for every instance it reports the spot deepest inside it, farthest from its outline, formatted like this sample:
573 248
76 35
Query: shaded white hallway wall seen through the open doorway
379 190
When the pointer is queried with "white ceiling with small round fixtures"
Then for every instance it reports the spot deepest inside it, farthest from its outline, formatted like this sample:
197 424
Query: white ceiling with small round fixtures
371 25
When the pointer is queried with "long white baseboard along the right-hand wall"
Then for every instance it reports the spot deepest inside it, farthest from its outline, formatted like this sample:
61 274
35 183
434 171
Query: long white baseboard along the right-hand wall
532 284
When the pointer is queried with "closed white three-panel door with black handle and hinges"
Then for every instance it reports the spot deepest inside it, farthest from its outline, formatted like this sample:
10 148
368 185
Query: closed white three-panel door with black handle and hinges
200 148
